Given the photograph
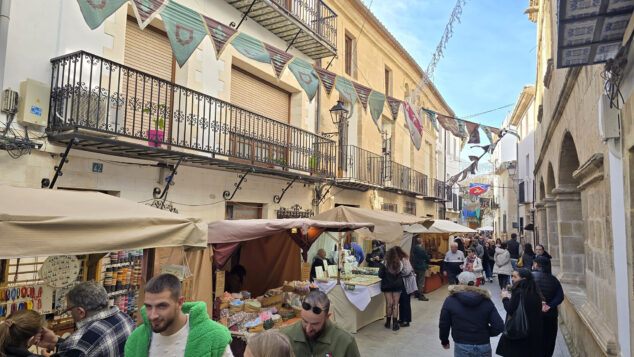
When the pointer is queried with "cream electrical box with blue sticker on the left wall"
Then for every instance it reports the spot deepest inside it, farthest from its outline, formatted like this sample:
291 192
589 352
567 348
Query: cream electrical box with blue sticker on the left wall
33 103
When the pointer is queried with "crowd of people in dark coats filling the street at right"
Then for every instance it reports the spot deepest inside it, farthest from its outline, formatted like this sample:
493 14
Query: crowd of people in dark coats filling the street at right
529 292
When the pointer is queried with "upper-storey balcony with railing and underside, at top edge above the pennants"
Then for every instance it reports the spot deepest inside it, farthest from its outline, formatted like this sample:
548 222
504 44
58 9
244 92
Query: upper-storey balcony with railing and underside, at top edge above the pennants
308 25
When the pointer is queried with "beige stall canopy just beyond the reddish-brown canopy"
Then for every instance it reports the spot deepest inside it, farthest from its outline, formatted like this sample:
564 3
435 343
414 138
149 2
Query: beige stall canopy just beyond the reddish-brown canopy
387 225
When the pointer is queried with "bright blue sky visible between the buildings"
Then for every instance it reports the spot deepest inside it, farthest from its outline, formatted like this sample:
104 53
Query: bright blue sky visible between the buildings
488 60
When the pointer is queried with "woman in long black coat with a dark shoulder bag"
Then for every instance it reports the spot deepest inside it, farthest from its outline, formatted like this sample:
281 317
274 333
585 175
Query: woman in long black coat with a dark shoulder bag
523 286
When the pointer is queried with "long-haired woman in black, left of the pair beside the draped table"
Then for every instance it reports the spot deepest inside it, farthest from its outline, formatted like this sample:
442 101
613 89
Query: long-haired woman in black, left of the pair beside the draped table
392 285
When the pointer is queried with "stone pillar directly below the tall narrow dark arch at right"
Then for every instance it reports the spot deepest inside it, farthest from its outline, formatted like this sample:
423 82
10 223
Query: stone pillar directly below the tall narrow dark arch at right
571 237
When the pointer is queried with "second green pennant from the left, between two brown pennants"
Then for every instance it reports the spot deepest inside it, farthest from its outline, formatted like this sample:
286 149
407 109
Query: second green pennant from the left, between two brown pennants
185 30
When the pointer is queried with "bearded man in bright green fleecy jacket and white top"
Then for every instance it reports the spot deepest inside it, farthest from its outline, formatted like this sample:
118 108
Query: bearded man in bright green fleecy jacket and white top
172 327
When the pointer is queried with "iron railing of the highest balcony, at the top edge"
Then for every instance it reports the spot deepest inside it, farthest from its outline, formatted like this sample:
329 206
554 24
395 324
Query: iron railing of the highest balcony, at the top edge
315 14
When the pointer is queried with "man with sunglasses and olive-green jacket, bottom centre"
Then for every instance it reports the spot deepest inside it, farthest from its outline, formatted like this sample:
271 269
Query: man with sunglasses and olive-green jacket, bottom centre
316 335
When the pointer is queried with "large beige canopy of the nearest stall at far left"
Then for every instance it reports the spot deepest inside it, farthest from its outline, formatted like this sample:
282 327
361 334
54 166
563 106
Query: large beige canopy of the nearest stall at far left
54 222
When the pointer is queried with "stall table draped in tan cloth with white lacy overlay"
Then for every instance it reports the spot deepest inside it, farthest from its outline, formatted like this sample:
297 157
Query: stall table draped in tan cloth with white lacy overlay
354 309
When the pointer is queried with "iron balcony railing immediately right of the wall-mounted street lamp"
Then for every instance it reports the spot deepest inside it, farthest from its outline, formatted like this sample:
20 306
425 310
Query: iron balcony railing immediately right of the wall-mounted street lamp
362 166
